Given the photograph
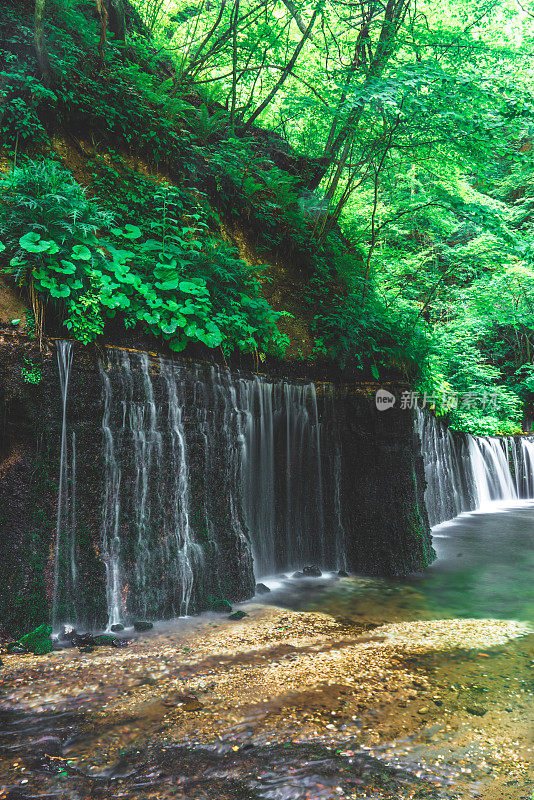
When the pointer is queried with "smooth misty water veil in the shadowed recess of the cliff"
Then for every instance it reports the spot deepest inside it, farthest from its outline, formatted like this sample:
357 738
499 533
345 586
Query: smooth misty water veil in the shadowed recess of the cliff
282 474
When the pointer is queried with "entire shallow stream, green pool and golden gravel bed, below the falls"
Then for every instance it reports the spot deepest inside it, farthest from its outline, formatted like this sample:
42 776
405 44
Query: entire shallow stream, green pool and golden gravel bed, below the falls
329 688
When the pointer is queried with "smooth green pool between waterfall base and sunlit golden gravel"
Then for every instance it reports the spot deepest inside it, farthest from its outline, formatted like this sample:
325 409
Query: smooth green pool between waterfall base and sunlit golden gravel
484 568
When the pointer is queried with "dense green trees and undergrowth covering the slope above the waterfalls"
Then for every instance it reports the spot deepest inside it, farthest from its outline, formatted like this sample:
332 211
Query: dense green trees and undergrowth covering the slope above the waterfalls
394 169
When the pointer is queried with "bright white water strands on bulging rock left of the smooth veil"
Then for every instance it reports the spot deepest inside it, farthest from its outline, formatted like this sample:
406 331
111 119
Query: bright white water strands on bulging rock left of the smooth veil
150 551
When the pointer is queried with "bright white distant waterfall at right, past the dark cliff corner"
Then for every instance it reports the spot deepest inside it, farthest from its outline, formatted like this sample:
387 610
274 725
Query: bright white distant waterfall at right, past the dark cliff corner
468 473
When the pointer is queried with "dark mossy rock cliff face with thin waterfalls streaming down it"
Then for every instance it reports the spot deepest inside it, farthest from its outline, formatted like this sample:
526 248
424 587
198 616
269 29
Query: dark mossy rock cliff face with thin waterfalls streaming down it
180 480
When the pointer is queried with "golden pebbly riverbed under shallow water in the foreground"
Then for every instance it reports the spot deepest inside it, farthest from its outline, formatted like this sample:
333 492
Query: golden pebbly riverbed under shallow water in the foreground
449 700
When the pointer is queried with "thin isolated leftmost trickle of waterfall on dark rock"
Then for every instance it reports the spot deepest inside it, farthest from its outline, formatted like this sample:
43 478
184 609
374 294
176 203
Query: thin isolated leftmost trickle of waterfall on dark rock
65 570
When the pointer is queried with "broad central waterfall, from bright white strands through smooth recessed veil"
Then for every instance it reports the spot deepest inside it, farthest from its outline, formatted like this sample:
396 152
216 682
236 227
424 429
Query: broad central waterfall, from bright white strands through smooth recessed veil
258 494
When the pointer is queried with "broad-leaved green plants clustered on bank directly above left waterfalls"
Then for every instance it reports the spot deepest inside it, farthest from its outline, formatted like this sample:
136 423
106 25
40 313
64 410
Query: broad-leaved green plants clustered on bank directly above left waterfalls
164 273
